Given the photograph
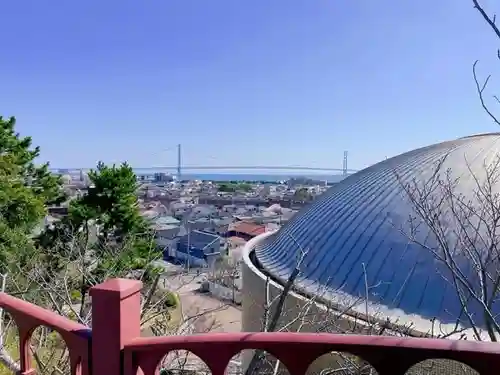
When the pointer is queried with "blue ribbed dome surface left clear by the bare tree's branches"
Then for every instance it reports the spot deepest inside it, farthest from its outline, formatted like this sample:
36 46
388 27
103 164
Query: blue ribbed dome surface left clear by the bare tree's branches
349 233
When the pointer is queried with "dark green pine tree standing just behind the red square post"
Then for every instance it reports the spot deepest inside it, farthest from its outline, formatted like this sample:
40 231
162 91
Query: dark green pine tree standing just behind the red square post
106 217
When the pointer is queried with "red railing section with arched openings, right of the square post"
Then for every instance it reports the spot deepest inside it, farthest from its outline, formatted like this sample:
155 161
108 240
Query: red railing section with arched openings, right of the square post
297 351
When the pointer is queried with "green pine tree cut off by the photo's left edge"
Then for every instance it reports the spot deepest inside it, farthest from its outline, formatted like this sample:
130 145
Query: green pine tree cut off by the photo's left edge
25 191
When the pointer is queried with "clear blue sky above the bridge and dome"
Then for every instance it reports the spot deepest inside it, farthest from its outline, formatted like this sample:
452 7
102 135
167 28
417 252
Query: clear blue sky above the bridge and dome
241 82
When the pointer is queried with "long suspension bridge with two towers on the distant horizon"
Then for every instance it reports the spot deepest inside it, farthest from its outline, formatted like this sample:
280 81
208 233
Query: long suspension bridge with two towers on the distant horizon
179 168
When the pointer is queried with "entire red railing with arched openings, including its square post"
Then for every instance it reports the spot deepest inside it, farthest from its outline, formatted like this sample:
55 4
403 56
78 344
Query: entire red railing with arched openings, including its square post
116 347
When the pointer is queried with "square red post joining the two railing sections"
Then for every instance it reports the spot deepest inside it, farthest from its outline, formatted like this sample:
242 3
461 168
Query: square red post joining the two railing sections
116 319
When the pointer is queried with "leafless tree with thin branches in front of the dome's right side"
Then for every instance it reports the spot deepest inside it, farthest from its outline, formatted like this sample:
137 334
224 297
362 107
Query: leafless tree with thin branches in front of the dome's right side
466 232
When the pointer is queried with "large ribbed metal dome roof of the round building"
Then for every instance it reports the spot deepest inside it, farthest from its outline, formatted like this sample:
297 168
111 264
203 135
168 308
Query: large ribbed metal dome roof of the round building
361 242
